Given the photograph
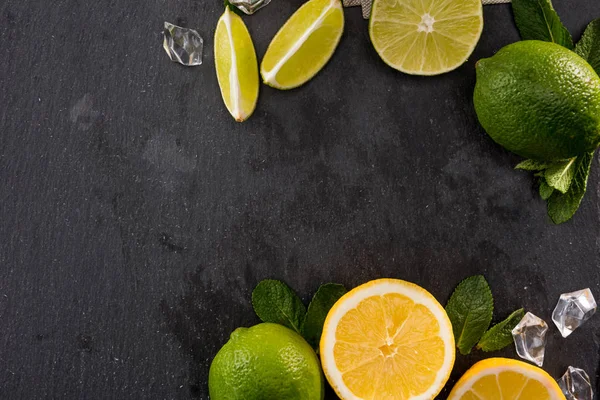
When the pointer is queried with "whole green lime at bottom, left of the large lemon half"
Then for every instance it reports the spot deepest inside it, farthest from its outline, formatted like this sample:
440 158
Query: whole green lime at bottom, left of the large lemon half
266 362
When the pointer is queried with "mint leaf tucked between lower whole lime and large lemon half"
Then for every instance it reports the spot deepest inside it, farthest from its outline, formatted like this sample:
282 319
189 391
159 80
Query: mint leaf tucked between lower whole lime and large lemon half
318 308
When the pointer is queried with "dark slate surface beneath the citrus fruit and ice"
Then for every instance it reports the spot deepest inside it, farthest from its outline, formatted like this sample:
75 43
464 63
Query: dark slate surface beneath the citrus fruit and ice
136 216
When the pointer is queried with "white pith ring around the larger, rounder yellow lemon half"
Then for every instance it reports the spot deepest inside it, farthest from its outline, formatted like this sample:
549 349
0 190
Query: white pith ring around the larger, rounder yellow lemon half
351 301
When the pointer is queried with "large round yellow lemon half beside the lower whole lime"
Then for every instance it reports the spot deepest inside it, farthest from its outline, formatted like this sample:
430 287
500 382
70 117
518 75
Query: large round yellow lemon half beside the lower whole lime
387 339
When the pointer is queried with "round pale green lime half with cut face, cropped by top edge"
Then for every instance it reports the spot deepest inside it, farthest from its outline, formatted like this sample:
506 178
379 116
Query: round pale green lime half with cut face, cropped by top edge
425 37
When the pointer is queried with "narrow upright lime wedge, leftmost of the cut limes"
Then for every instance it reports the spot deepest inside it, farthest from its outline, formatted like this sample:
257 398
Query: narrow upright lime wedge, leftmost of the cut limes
236 64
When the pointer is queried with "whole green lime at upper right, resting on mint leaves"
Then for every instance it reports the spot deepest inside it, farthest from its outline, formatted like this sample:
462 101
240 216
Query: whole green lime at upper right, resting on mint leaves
539 100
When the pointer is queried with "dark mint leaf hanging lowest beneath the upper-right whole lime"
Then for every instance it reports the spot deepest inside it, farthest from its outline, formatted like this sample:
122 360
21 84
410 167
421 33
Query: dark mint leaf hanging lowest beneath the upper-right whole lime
561 207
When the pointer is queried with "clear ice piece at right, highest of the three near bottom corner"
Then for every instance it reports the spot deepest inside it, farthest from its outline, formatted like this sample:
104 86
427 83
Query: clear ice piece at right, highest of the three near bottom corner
572 310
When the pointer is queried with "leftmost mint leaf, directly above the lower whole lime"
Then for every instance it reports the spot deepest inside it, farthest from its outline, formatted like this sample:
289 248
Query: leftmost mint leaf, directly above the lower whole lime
274 301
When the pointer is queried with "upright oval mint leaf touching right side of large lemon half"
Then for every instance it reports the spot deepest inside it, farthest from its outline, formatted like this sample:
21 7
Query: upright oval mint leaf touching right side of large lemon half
470 311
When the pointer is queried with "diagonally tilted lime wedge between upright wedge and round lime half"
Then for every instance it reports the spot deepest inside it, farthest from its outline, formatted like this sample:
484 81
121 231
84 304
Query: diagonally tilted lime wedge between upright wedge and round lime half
304 44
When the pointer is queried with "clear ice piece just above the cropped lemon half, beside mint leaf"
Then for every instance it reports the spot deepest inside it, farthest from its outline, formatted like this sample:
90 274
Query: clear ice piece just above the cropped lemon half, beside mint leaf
530 338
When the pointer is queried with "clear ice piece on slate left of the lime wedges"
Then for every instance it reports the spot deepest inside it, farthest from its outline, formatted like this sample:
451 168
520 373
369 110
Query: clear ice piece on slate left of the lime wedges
183 45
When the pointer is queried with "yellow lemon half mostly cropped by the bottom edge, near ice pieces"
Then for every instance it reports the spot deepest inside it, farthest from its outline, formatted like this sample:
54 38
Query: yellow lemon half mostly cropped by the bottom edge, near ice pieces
502 378
